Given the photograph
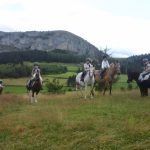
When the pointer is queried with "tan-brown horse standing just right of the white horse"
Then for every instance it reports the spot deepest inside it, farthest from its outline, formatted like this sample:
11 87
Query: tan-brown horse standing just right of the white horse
109 76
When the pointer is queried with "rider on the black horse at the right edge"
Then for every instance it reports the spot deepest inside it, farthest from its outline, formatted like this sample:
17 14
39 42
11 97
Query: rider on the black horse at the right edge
146 69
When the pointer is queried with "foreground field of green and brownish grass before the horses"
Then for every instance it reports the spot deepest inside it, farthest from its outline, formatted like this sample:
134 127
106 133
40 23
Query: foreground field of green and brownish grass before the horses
68 122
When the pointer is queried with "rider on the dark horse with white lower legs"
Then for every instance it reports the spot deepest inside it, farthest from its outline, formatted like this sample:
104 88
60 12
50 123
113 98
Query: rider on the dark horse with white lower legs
35 70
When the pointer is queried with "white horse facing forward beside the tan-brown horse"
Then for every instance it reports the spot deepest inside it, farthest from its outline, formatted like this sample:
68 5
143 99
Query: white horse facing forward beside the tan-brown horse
89 79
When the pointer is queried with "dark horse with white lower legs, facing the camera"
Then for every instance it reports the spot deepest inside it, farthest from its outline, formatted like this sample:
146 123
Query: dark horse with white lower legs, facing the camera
34 88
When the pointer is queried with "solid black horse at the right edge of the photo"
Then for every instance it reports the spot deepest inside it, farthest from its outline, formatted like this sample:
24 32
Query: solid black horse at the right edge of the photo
143 86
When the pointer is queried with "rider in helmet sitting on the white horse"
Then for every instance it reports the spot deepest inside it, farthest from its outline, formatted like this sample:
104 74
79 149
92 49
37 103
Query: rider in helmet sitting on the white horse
87 66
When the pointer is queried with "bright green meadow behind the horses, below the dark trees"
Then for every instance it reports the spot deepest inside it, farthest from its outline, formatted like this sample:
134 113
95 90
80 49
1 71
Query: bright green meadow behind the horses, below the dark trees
17 85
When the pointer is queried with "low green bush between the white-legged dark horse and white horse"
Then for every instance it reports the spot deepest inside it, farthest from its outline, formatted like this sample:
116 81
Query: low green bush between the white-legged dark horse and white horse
54 86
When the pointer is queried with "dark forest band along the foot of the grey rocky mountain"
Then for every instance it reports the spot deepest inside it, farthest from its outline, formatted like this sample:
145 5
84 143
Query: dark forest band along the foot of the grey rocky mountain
36 55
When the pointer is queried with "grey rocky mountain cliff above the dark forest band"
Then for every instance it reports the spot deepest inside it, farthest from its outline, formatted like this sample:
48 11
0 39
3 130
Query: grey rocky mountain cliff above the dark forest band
47 41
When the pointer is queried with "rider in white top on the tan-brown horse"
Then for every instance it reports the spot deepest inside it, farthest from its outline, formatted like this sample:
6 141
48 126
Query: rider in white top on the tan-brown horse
104 66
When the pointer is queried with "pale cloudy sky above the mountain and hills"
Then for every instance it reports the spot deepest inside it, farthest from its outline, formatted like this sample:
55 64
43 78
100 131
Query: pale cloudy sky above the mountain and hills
123 26
